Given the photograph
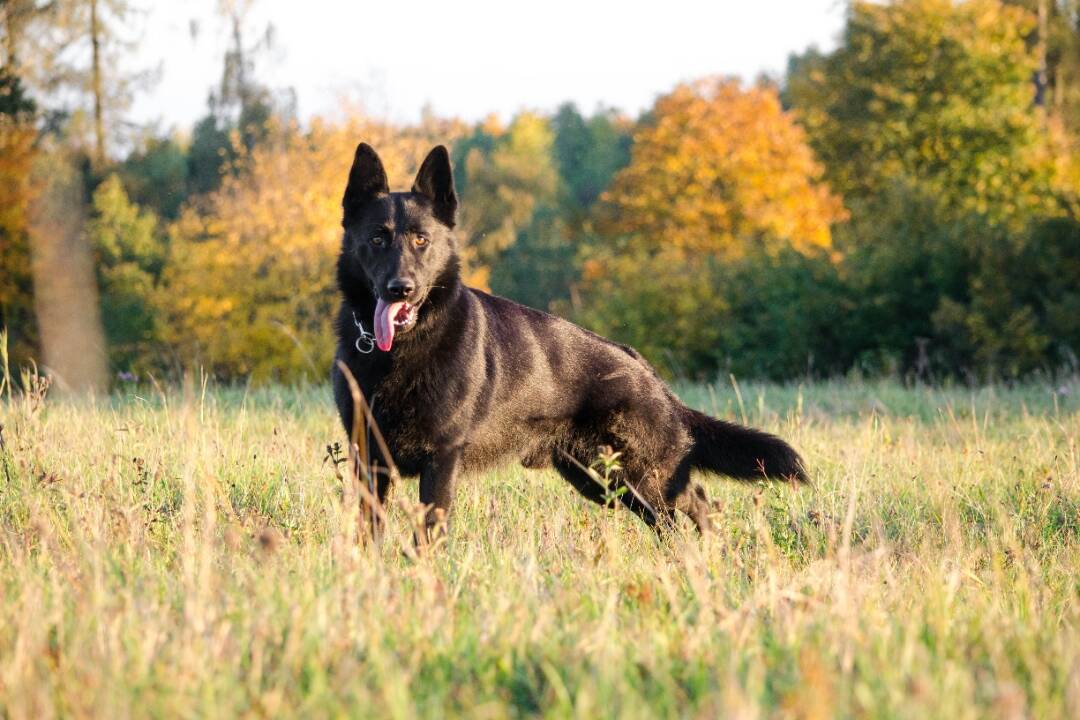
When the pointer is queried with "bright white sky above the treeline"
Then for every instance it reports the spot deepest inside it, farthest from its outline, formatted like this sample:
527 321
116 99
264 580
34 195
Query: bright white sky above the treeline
472 58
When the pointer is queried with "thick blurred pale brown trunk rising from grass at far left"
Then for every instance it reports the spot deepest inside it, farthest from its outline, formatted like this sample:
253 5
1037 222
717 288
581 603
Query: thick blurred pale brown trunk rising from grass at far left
65 290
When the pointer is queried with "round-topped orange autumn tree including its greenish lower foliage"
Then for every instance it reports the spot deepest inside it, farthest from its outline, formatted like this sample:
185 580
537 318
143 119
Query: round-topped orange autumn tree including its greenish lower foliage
718 174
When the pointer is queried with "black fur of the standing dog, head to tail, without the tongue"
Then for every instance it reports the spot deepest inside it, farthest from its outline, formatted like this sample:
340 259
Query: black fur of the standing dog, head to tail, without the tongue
480 379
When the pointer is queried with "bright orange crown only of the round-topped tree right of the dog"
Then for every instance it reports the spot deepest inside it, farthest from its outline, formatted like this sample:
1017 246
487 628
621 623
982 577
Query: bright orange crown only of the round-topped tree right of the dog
717 168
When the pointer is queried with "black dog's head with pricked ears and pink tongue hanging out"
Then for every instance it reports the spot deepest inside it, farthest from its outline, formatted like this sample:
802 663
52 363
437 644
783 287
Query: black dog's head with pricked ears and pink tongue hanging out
399 244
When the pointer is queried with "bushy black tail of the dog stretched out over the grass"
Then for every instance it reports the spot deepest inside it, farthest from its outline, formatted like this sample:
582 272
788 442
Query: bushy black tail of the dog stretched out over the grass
741 453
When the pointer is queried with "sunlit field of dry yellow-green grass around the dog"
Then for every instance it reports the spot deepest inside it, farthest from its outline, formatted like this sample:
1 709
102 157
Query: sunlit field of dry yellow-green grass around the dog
188 554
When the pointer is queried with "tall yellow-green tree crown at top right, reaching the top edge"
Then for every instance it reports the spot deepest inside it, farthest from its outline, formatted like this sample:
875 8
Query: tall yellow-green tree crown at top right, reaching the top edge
933 94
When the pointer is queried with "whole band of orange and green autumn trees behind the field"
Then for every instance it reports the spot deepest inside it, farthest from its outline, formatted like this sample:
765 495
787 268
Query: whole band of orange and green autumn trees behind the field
904 205
